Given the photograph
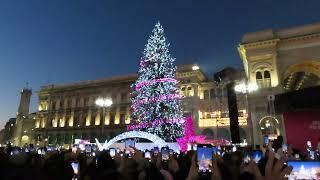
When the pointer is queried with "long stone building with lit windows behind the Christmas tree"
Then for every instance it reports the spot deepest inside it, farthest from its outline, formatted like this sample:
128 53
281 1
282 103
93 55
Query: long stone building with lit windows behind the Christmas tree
68 112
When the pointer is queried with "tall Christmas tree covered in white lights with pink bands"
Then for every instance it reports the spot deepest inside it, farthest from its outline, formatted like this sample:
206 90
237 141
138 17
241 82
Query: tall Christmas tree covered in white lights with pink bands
156 101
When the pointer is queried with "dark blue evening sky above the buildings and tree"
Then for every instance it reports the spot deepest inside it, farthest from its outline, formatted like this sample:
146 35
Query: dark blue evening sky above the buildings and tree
61 41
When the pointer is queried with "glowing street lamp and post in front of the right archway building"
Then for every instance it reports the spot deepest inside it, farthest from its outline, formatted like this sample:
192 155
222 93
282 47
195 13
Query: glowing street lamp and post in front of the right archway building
247 88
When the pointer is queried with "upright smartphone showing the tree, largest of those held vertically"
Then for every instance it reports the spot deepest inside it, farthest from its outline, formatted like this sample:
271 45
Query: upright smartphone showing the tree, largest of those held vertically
204 158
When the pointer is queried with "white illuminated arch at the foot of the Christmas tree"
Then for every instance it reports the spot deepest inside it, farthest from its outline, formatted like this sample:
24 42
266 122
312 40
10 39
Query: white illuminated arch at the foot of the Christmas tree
133 134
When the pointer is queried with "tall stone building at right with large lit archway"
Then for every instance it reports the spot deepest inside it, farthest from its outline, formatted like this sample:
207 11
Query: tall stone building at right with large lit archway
278 61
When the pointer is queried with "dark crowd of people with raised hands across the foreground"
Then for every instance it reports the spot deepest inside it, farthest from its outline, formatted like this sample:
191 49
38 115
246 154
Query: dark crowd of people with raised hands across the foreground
22 164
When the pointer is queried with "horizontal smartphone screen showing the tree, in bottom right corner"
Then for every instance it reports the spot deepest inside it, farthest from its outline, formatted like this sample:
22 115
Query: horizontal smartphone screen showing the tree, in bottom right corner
304 169
